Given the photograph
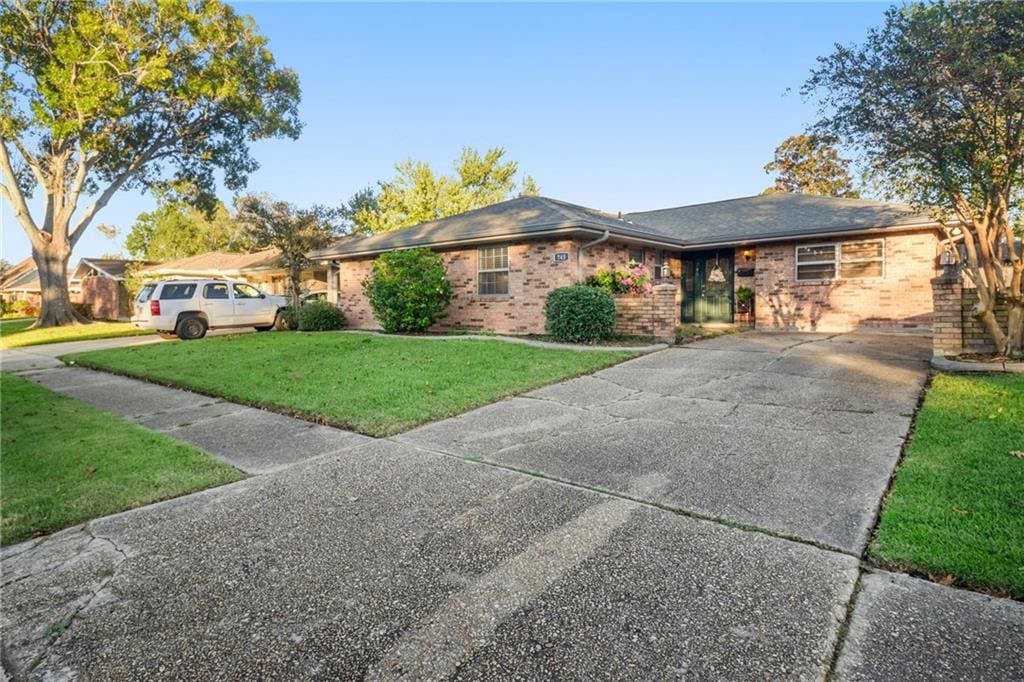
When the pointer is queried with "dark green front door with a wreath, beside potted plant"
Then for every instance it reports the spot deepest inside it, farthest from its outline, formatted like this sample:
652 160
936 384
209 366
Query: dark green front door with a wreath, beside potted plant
707 284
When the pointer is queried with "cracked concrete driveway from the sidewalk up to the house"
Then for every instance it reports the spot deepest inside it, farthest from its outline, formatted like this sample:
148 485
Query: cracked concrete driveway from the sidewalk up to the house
792 434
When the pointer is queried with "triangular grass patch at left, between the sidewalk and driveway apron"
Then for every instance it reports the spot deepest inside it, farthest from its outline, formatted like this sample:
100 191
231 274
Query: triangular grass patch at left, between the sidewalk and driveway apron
65 463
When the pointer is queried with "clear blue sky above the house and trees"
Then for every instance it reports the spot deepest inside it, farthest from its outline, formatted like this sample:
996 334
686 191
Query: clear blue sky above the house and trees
616 107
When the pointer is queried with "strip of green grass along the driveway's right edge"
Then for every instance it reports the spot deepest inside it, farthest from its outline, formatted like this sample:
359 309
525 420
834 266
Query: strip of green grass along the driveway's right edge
956 510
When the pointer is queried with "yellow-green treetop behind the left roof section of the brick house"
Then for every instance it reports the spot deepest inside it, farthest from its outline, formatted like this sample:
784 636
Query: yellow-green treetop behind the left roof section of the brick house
418 195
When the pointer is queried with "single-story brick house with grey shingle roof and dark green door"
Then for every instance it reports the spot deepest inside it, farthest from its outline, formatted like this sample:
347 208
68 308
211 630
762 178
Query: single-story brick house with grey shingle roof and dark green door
814 263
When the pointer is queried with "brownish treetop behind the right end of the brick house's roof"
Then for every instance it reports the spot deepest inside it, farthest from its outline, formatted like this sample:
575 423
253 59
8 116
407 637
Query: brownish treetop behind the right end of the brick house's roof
810 165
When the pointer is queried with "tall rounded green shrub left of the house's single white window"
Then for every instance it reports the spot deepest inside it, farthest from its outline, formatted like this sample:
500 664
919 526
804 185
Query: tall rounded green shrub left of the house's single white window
408 290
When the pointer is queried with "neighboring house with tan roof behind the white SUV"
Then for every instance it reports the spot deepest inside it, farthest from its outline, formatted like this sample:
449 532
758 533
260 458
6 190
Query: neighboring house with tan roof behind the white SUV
264 269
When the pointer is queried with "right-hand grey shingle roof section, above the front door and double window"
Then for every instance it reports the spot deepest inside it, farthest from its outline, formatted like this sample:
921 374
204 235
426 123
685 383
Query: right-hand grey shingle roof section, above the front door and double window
752 219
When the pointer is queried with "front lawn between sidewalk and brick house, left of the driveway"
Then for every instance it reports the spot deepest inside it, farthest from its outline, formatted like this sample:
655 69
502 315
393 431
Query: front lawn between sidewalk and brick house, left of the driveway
371 385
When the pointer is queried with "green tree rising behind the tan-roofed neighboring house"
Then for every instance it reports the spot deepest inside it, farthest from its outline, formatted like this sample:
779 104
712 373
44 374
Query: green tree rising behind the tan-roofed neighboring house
179 230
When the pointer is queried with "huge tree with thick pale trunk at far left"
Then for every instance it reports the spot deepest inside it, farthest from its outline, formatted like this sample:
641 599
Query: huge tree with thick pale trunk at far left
103 96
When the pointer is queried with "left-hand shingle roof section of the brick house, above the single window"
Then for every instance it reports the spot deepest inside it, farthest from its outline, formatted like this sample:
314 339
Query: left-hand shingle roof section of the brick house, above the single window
518 218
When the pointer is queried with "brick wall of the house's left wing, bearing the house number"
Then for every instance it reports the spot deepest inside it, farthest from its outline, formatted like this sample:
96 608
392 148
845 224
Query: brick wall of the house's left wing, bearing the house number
533 273
